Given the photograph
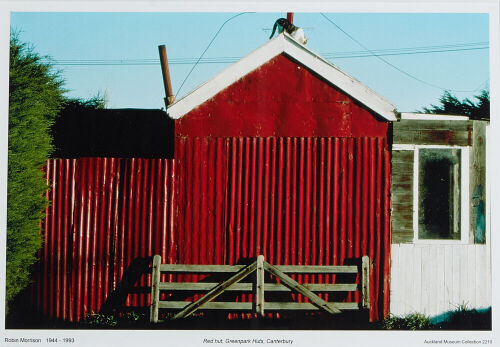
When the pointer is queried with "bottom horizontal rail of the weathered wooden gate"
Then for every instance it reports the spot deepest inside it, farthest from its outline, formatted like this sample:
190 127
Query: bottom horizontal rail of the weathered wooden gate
246 306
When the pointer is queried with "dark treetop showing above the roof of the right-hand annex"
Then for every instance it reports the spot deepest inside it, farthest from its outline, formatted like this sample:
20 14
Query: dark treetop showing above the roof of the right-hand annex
450 104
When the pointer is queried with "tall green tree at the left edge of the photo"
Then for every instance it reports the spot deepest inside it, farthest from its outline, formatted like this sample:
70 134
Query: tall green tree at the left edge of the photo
35 98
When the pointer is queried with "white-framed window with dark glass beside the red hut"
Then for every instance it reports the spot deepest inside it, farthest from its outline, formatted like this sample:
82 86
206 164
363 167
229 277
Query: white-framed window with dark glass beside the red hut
440 194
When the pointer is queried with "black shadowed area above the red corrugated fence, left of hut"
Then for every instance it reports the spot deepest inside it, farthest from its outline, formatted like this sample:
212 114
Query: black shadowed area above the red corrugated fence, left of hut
124 133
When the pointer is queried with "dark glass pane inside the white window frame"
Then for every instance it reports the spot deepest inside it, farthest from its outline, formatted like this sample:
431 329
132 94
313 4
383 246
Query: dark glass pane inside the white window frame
439 194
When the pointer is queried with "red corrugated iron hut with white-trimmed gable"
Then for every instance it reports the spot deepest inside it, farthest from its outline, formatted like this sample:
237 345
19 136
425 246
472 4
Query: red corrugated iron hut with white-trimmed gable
283 154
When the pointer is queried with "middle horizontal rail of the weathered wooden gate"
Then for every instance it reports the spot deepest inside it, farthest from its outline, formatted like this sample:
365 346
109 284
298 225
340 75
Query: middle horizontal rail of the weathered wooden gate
246 287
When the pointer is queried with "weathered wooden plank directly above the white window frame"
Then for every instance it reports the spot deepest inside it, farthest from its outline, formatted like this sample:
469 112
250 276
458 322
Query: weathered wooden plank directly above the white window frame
441 137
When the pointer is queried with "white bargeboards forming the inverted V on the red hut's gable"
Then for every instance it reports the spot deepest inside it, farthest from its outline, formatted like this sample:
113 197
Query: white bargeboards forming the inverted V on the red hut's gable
284 44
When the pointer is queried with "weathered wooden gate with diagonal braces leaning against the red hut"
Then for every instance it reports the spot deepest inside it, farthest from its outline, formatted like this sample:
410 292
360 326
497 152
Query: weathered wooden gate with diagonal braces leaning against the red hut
260 266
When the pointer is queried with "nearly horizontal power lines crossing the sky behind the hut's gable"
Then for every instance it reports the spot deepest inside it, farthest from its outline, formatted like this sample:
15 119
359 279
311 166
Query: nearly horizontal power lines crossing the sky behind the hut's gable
227 60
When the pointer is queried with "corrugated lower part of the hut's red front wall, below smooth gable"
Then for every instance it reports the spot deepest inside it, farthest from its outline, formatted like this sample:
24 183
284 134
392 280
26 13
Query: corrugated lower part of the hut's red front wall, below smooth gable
320 201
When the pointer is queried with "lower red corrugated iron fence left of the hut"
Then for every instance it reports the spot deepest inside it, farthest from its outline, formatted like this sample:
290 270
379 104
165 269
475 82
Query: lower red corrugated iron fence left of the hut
98 207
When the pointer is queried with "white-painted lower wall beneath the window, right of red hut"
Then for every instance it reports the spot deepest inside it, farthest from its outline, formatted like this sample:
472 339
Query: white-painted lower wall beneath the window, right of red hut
433 279
